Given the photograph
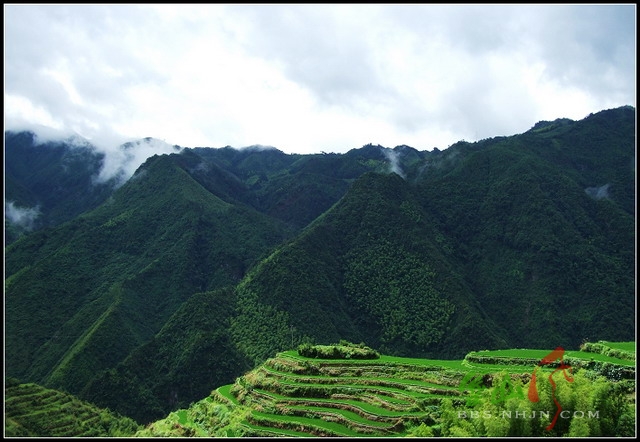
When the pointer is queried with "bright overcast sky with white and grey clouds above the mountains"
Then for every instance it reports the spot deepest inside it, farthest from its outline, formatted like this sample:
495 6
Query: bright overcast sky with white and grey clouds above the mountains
312 78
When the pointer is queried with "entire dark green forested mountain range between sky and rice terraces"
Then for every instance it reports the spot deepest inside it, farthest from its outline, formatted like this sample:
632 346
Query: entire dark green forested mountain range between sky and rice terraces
141 296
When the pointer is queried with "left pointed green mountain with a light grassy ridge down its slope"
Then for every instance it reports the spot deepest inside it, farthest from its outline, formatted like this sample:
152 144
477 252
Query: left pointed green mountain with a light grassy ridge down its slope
82 296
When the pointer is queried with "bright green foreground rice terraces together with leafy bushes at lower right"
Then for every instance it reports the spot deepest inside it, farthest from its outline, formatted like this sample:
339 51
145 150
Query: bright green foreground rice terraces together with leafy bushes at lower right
349 390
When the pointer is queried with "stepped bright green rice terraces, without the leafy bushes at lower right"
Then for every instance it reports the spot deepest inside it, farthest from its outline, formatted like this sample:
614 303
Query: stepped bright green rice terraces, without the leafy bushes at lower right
295 396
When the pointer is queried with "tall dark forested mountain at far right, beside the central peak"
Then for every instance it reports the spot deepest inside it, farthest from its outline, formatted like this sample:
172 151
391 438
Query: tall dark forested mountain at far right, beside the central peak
541 251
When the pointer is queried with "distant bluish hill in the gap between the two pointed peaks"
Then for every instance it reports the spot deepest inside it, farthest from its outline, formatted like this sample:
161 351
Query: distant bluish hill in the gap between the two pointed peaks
293 188
